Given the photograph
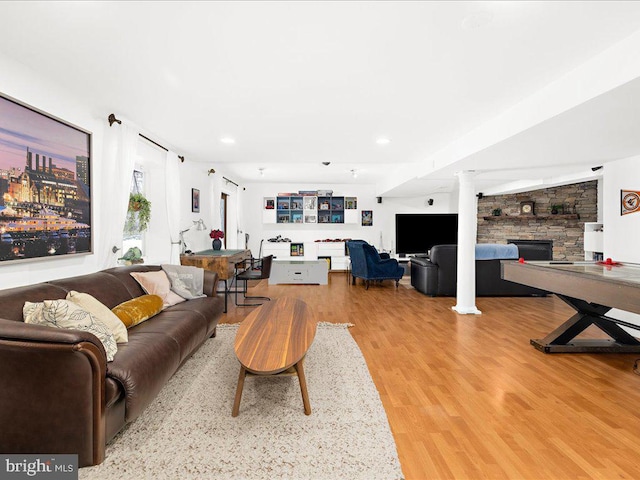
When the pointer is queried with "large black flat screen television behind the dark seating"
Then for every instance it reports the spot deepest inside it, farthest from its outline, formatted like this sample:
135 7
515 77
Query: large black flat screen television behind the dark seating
416 233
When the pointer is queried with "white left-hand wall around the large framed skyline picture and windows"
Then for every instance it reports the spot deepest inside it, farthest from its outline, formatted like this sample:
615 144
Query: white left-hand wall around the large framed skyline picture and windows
34 89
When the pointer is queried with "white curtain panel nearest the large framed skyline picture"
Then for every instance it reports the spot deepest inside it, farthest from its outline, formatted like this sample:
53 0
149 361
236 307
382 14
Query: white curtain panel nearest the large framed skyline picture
120 148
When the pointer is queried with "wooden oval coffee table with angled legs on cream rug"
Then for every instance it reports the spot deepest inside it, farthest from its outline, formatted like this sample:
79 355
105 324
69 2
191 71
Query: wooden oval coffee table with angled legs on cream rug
273 340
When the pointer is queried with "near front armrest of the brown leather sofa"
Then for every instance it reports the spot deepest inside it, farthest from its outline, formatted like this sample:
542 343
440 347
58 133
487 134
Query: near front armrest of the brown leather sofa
53 384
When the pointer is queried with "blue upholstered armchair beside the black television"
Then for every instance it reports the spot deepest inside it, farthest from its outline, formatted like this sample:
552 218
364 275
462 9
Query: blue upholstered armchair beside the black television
368 264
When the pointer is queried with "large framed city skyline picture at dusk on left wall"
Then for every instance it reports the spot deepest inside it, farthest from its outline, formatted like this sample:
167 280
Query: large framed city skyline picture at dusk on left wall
45 185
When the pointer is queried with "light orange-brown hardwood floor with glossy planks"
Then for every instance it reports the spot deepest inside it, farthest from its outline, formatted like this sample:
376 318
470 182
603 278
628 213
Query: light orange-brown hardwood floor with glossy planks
467 397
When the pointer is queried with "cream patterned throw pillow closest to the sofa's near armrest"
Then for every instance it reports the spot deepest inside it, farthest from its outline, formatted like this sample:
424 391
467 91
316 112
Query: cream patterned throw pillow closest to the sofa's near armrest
66 314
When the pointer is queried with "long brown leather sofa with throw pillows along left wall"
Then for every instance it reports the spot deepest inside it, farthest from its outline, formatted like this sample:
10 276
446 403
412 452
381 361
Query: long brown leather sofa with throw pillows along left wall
59 394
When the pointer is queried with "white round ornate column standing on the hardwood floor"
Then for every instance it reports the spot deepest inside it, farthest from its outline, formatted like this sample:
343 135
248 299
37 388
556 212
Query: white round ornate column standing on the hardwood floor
467 229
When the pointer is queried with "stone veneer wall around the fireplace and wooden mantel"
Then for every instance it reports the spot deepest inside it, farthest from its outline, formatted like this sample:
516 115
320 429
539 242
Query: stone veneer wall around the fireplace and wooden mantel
566 231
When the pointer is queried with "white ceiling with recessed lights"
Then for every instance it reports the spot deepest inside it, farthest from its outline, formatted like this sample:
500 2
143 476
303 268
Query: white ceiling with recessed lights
301 83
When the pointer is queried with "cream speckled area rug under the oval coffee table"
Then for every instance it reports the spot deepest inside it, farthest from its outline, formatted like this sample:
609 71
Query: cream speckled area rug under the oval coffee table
188 432
